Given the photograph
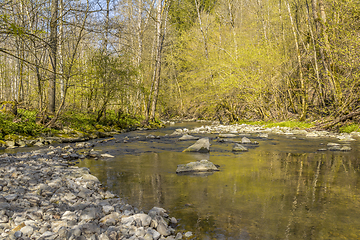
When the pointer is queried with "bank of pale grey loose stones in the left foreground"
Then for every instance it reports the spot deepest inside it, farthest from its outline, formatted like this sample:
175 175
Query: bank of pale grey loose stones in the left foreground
43 197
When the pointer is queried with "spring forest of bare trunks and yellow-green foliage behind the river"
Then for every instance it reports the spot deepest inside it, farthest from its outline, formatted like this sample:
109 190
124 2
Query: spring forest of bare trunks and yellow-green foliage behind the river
226 60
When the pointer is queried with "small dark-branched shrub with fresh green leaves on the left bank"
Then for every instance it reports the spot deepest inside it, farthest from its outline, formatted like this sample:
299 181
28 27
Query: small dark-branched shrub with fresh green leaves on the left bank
108 81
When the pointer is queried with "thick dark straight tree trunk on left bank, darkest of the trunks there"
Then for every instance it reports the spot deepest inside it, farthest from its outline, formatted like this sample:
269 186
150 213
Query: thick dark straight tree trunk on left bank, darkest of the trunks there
53 54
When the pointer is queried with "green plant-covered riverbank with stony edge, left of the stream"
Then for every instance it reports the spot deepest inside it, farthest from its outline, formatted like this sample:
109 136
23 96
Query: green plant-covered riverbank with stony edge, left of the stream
25 130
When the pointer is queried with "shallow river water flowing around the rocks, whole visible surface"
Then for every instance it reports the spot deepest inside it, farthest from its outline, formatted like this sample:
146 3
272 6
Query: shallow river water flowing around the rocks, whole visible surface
281 189
